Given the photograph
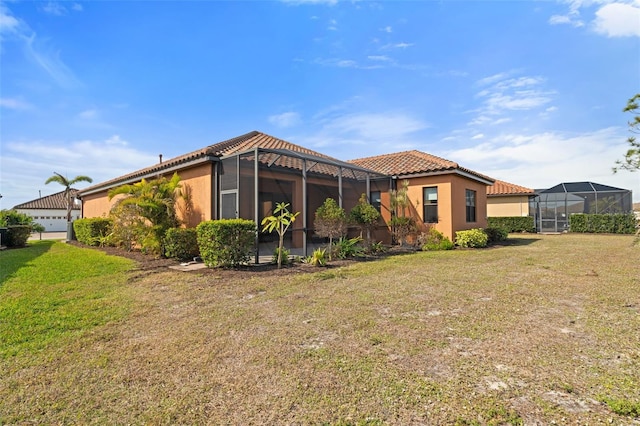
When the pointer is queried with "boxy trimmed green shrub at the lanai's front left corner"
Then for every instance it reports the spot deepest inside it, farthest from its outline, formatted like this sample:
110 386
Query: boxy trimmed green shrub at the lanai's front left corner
226 242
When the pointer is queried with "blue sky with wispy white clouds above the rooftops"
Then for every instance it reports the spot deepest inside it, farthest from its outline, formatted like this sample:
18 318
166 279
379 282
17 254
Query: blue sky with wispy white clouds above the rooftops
524 91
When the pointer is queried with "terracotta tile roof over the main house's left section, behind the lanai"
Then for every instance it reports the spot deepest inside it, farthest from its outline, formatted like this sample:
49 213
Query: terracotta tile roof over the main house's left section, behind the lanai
239 144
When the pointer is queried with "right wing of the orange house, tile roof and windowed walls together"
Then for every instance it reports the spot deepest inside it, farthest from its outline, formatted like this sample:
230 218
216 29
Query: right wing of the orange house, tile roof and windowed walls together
442 194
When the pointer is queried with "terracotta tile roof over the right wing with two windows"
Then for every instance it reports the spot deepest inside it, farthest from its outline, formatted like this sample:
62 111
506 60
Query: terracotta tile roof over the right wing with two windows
408 163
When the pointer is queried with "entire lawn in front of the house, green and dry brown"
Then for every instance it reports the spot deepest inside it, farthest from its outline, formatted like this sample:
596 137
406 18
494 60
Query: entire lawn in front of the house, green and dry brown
544 329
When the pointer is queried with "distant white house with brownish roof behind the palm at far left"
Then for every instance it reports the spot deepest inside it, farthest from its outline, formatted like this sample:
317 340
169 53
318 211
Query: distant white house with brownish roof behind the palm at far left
51 211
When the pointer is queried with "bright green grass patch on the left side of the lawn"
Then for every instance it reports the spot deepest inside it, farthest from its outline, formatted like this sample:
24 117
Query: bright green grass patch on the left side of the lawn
51 292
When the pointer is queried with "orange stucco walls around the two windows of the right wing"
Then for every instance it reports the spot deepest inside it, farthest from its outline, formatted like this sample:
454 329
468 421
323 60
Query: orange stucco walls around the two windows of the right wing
451 202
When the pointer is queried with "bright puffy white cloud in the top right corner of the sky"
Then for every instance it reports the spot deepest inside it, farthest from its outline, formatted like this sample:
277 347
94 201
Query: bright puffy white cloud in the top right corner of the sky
618 20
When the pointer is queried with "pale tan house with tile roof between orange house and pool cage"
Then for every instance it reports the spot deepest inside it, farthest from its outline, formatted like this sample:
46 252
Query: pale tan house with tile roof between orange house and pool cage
508 199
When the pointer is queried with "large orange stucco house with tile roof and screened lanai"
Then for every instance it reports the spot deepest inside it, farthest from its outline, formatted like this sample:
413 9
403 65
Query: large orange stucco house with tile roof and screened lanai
246 176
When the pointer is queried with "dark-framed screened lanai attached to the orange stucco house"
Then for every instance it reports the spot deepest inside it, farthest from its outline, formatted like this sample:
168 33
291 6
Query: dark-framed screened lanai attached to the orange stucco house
253 182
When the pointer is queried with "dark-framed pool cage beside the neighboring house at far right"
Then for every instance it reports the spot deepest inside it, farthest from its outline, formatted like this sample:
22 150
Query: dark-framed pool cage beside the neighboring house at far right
552 207
